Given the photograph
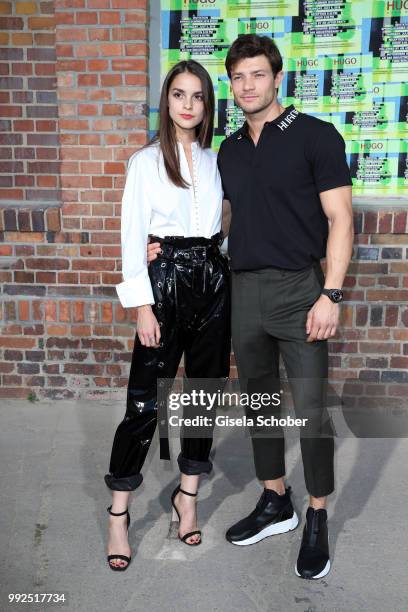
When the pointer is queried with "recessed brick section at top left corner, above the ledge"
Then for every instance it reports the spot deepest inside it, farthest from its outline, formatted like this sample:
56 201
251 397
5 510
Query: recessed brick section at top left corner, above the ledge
29 159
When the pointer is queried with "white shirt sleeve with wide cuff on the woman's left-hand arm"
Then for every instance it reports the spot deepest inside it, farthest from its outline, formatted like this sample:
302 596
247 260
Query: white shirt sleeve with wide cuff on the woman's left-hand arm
136 289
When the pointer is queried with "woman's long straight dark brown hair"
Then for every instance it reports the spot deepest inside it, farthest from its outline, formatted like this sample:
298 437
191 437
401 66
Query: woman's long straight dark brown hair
166 133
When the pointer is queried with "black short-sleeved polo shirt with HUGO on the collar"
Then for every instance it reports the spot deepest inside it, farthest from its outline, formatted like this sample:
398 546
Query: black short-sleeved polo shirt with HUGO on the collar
273 187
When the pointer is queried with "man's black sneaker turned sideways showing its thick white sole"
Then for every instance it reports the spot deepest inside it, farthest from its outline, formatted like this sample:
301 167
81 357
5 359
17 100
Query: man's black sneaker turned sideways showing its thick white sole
273 514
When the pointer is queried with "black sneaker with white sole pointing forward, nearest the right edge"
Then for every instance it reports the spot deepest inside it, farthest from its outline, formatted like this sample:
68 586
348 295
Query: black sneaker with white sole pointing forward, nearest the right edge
313 560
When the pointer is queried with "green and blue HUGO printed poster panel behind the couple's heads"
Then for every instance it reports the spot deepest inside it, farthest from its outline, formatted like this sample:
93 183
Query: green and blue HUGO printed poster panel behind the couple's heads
345 61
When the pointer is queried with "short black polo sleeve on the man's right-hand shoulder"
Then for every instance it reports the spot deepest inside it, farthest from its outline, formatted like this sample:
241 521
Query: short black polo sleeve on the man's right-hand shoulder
329 163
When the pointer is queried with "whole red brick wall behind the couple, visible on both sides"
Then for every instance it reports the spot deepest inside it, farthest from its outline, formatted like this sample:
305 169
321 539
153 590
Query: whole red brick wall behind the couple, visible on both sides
63 332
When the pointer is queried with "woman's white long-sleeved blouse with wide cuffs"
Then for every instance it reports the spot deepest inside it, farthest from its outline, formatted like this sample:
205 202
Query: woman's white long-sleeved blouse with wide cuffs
152 204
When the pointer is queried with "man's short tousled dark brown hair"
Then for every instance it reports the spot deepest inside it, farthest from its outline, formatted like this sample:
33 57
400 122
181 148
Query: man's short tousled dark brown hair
251 45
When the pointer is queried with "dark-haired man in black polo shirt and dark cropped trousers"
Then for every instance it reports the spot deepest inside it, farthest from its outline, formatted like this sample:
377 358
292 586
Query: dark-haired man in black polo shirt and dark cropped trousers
286 179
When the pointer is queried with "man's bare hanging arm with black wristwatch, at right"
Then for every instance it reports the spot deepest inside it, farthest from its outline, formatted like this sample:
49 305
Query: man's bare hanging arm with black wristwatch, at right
323 317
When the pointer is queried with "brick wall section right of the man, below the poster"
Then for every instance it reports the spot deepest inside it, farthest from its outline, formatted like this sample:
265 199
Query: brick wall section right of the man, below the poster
371 352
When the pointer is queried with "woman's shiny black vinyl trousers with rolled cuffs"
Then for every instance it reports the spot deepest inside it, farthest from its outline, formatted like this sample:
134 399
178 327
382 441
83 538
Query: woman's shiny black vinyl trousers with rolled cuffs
191 288
